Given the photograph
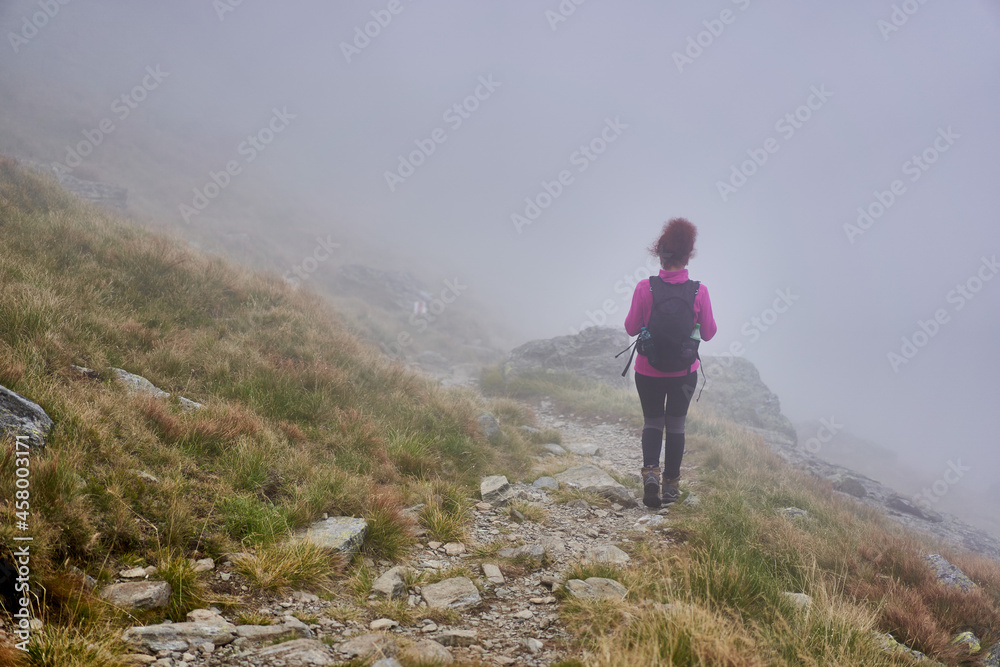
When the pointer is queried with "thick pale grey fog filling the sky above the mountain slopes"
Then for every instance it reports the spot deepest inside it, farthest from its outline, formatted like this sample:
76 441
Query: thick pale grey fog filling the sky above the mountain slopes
839 160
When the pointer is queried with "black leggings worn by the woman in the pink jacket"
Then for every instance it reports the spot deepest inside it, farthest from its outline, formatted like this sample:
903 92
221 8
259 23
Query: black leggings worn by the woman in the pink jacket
665 402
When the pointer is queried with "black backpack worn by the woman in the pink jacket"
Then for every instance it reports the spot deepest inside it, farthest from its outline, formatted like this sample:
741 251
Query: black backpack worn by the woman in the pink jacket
666 340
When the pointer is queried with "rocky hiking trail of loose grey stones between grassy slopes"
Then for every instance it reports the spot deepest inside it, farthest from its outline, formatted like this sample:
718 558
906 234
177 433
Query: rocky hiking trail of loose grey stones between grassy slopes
503 610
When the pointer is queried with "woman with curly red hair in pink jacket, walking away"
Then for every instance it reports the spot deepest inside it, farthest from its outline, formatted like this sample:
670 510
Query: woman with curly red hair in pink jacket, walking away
666 395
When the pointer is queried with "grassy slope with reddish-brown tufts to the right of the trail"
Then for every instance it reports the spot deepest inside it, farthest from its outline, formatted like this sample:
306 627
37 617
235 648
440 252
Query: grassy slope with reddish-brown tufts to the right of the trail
734 555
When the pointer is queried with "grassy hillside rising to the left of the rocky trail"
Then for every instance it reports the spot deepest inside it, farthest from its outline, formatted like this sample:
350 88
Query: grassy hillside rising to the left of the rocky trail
302 418
